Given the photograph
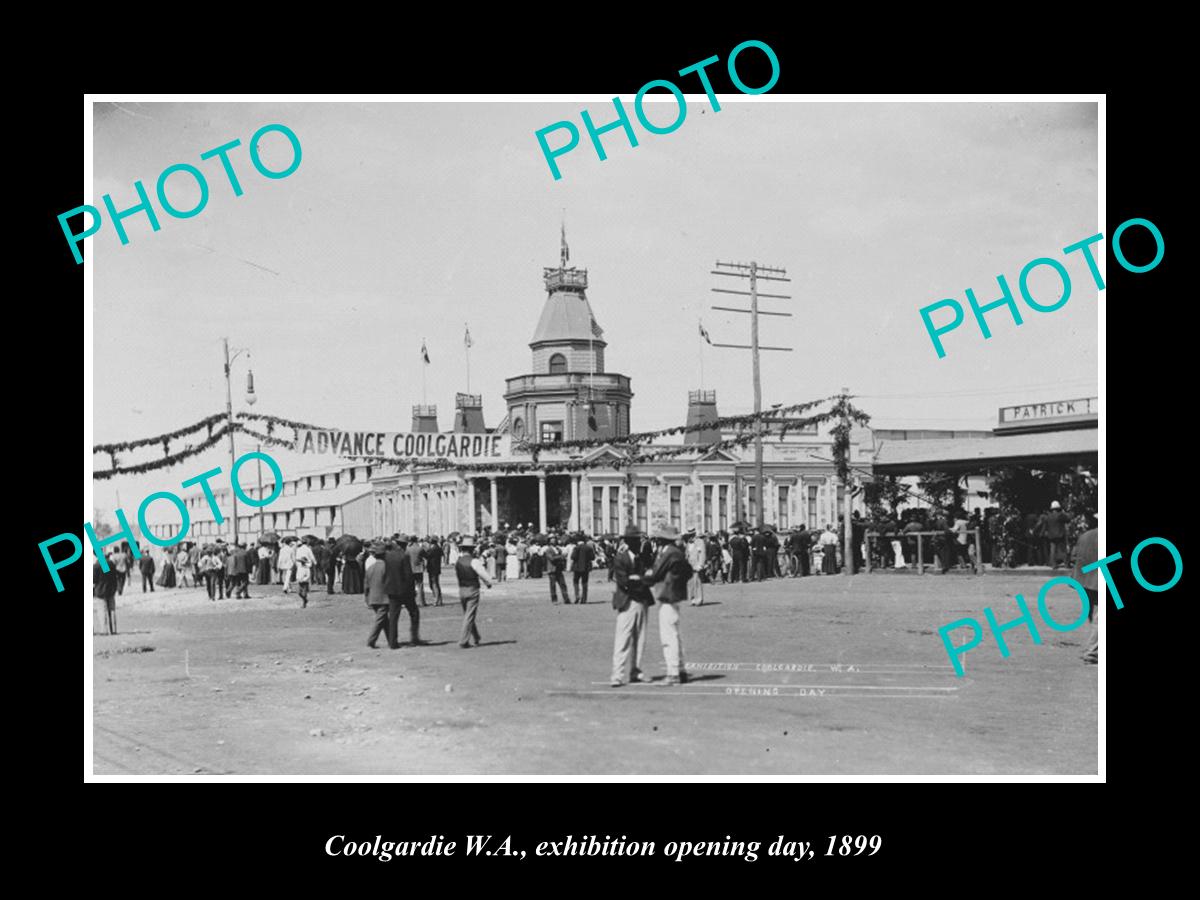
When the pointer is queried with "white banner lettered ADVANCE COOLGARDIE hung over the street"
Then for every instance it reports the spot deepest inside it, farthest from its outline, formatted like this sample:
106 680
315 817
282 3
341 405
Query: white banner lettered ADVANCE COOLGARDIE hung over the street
405 446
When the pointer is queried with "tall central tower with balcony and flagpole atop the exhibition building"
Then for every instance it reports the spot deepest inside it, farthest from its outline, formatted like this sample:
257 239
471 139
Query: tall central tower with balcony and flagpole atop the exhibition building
568 397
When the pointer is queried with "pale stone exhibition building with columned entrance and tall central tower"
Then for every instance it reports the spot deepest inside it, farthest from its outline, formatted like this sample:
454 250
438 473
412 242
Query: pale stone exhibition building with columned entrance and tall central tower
568 395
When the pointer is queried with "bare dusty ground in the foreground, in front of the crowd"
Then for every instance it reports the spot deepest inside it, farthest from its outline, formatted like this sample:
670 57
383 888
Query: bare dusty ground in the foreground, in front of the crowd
814 676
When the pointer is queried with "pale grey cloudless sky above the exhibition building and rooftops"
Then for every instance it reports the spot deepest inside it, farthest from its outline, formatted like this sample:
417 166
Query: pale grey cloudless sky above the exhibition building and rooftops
406 223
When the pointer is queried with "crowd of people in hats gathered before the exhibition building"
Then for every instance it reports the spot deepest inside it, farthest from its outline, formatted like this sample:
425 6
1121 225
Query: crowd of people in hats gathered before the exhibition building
393 573
